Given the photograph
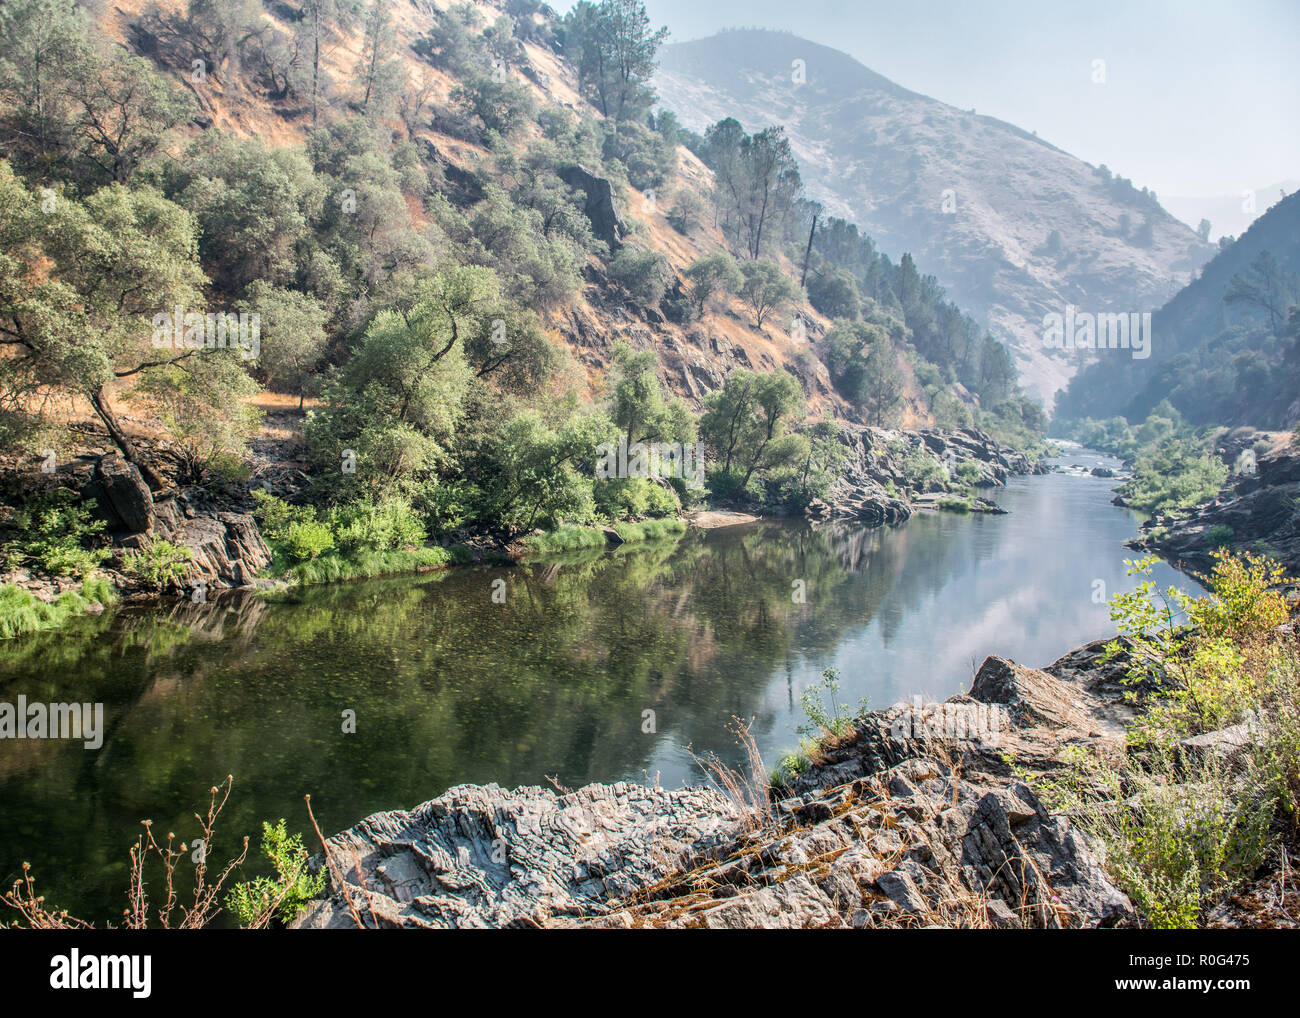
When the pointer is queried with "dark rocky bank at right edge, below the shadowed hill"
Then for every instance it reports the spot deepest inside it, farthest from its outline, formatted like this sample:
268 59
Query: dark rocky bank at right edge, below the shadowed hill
1262 513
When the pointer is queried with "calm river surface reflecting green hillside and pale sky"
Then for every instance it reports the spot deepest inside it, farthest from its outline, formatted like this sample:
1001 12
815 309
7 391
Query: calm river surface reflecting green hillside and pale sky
450 687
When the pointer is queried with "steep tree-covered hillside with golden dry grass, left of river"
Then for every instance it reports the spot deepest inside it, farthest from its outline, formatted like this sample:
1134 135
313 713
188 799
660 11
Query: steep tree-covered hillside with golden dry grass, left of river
462 242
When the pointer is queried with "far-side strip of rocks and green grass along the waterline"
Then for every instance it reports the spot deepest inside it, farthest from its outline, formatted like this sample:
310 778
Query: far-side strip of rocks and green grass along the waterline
197 543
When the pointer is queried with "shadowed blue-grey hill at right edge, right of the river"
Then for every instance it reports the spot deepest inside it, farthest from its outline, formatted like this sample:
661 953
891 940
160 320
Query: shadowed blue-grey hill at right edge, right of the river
1225 349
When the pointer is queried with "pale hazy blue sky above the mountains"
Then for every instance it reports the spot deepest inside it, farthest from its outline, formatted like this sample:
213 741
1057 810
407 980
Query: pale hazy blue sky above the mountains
1201 98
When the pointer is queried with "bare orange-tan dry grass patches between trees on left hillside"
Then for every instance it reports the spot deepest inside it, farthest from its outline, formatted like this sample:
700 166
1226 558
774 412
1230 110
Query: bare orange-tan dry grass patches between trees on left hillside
696 358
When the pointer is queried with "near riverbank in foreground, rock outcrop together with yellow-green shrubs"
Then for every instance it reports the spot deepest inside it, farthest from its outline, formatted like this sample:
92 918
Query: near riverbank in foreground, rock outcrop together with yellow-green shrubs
1129 783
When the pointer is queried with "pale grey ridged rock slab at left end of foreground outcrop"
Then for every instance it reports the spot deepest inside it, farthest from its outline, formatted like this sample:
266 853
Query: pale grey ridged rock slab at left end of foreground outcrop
483 857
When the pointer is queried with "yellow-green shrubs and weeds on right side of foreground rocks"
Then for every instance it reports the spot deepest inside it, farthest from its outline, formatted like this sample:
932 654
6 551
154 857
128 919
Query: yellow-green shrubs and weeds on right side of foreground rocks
1181 829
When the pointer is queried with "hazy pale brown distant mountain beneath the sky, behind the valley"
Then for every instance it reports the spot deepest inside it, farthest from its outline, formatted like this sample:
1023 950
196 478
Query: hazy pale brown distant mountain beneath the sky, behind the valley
1013 227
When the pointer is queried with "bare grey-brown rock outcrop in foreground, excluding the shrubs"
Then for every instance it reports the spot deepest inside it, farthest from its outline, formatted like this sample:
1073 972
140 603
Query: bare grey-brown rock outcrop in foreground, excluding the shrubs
913 821
